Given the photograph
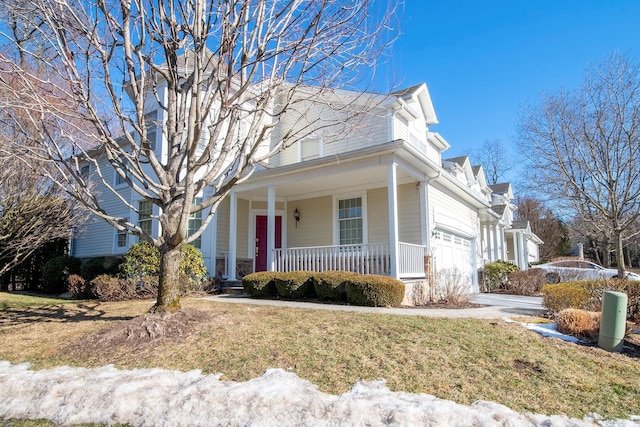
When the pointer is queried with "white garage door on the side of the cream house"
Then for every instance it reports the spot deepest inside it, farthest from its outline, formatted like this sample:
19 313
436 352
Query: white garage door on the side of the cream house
453 251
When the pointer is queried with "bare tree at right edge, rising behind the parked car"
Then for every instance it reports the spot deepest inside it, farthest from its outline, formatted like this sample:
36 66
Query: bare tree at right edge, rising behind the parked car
583 149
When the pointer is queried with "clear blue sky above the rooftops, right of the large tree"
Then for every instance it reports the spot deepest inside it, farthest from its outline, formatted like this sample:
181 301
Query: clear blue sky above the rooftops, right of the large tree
482 60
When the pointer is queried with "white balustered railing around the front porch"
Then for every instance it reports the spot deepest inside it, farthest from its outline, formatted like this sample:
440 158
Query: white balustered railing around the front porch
372 258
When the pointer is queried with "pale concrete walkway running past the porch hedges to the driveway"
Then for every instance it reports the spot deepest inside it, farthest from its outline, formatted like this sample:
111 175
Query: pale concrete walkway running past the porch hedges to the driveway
496 306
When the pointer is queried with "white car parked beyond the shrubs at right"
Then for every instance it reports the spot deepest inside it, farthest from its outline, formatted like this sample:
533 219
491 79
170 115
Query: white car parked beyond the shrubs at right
570 270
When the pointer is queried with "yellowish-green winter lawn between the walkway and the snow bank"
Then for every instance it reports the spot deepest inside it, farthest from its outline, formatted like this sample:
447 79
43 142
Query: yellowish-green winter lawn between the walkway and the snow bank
463 360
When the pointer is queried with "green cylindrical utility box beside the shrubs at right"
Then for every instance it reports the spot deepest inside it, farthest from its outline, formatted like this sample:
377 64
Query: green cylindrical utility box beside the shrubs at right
614 321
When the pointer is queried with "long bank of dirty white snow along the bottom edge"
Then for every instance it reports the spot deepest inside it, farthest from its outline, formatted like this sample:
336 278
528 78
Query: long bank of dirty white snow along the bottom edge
156 397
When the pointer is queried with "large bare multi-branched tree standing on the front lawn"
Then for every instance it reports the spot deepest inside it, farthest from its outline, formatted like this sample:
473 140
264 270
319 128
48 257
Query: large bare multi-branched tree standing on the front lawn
222 75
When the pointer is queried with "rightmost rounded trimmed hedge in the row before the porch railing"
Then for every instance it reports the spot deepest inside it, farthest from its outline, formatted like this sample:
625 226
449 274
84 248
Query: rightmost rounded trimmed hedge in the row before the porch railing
374 291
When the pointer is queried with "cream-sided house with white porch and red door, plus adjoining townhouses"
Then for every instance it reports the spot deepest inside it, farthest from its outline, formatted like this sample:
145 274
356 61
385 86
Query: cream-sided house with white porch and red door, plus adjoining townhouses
373 197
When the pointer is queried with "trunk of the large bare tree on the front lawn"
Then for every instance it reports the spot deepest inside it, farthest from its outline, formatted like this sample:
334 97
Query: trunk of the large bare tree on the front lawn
168 282
